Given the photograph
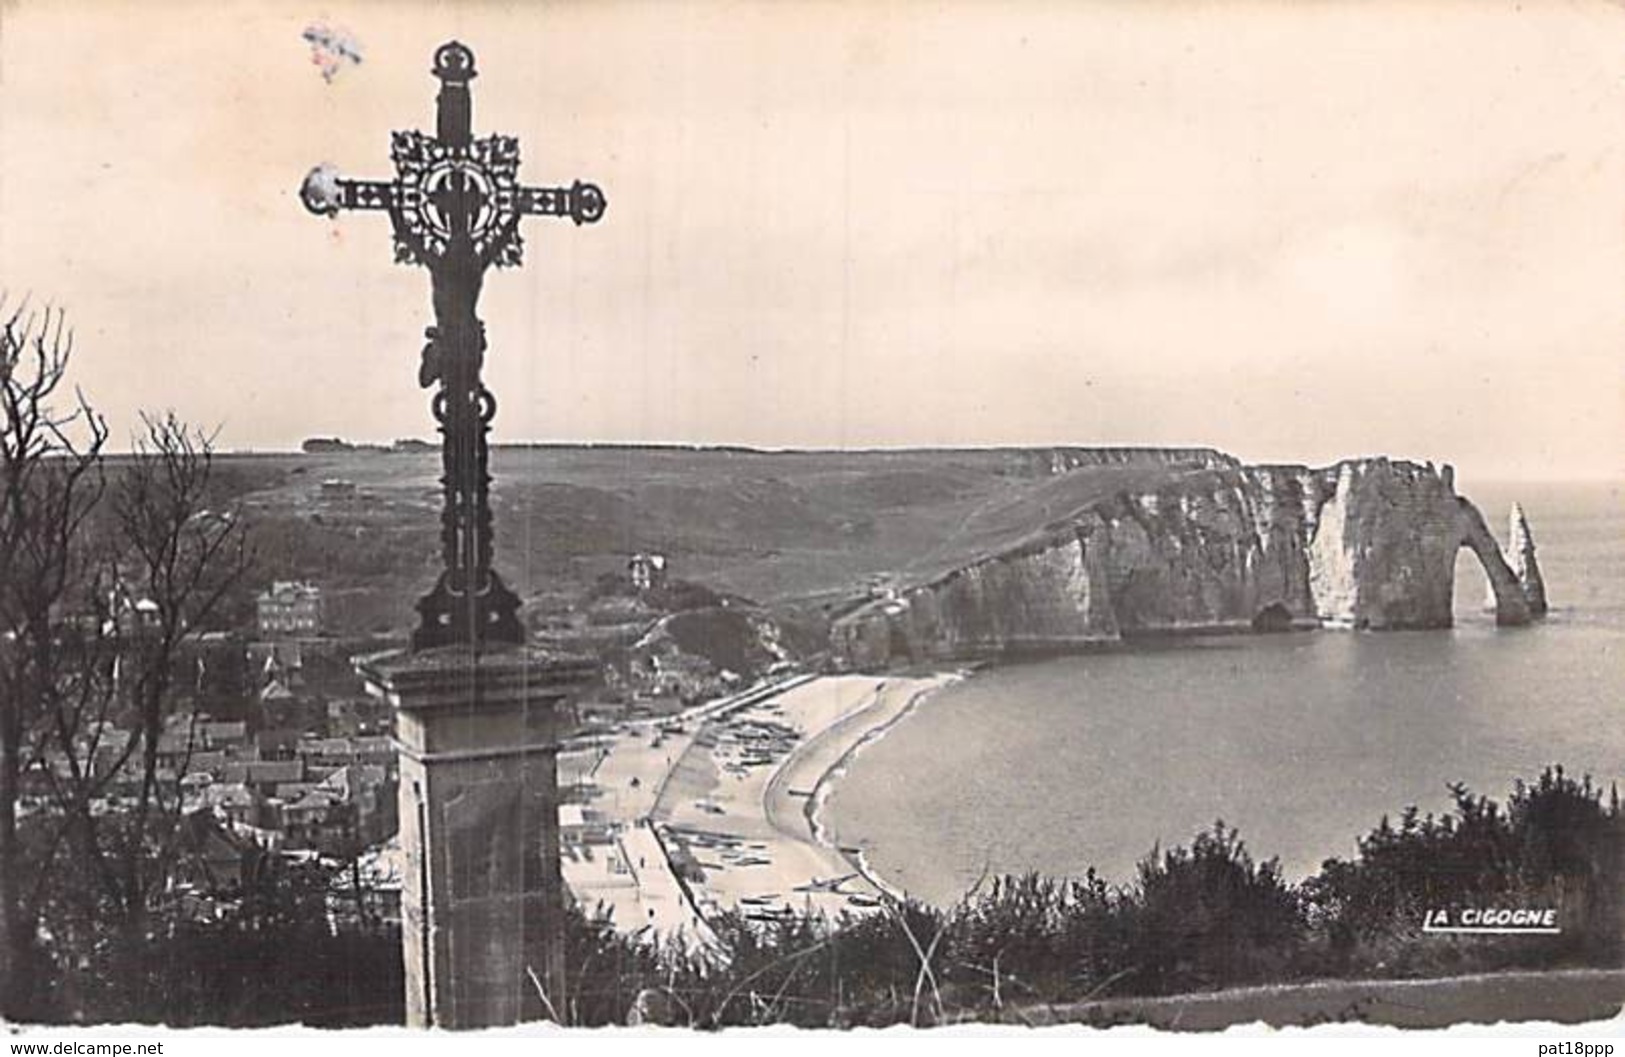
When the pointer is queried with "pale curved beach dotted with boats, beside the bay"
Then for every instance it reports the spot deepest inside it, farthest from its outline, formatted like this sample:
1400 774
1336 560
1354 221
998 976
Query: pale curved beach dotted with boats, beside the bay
717 811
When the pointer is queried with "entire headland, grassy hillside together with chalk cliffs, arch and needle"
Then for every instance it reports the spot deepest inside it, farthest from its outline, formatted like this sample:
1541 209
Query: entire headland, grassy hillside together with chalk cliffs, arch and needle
899 555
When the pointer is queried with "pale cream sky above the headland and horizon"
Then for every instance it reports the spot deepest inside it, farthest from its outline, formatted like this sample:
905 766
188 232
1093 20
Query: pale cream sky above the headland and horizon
1289 232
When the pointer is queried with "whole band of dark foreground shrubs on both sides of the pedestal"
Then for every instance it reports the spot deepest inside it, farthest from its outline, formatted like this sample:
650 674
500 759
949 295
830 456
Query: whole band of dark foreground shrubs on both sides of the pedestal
1195 918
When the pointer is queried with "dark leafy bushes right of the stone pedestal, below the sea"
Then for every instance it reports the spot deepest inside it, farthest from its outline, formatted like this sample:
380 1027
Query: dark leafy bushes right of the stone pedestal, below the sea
1195 918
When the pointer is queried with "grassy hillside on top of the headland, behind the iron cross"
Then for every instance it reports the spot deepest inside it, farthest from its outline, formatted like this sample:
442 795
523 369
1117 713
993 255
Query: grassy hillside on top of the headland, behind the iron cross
789 529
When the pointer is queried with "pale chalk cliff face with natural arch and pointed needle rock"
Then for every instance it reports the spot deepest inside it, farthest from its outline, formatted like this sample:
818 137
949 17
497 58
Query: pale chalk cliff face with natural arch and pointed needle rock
1363 544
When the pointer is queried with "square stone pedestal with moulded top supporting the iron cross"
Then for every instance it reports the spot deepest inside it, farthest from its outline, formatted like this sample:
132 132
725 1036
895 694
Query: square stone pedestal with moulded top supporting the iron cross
483 897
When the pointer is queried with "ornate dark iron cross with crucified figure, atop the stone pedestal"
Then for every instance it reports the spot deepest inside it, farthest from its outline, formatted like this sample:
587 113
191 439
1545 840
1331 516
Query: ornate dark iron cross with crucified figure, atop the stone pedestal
456 206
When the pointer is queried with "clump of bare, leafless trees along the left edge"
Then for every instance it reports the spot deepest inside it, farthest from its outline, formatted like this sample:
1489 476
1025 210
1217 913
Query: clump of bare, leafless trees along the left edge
108 567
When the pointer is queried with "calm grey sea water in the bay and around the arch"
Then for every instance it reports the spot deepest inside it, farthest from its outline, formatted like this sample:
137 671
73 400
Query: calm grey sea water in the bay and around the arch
1299 741
